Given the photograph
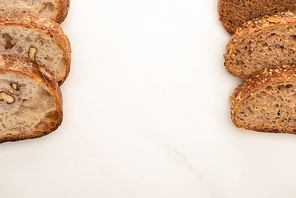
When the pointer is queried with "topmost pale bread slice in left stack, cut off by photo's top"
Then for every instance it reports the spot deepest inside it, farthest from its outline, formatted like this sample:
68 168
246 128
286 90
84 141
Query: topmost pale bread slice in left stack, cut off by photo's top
55 10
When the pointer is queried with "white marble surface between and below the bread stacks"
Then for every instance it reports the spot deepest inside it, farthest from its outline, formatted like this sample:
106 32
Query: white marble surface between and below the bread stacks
146 114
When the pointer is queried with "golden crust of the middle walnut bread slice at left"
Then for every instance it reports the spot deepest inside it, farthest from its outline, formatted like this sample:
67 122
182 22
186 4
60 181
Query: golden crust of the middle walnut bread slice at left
45 26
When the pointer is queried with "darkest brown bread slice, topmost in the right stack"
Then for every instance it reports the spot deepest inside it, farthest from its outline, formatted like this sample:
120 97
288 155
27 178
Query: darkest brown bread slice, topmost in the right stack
234 13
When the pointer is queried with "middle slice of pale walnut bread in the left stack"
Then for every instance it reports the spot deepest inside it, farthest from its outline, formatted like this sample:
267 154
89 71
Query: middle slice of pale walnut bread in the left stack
37 38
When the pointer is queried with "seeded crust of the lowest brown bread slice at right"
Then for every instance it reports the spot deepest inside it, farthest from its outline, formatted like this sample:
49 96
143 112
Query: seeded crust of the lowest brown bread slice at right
259 80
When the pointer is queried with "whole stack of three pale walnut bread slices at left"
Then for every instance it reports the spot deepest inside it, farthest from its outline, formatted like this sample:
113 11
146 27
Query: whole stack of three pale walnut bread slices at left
35 57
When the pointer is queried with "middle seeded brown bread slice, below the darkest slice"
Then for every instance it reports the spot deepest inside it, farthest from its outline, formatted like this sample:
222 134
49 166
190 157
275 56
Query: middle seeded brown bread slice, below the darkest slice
262 43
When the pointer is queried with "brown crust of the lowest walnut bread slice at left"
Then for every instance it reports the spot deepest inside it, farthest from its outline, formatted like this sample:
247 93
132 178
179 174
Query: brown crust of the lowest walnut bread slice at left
29 68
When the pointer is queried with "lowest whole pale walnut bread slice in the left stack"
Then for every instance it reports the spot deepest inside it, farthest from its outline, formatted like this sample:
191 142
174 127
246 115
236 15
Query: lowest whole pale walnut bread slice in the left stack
30 99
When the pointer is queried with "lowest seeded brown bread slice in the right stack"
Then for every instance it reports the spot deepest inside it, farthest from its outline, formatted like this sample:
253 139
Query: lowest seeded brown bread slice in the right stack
266 101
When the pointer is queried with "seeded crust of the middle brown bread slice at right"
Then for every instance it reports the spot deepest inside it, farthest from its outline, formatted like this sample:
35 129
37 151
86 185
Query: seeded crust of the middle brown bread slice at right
253 26
